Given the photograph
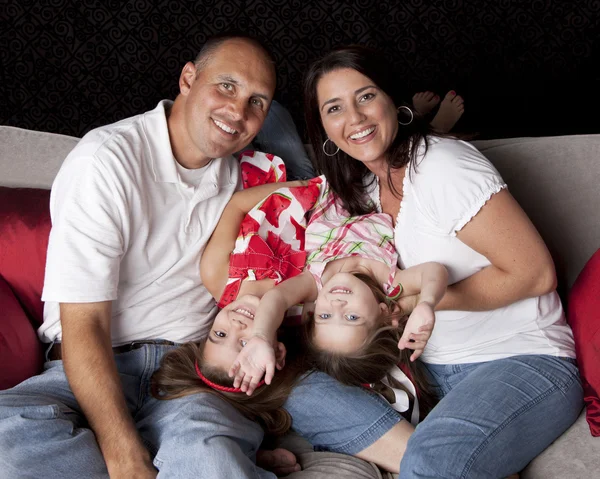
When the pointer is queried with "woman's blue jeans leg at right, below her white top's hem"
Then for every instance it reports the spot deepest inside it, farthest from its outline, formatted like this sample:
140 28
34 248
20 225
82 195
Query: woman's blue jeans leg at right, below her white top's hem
494 417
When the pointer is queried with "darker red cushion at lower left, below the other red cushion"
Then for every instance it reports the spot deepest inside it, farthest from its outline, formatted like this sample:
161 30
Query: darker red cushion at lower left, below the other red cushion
21 353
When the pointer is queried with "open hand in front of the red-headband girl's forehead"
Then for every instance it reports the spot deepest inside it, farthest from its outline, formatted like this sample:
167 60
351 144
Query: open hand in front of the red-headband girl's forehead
255 360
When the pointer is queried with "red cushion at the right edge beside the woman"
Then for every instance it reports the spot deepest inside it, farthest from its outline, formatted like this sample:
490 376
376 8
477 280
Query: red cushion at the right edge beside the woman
584 318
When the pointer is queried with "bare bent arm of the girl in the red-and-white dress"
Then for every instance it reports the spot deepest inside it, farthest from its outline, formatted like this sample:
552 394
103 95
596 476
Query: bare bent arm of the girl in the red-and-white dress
214 264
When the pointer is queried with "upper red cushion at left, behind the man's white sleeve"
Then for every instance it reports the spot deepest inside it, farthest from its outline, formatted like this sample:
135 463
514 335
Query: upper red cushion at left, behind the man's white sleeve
24 231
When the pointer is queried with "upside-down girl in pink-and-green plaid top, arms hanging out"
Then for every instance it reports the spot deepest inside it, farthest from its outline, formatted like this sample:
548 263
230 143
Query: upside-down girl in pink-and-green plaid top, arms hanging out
352 277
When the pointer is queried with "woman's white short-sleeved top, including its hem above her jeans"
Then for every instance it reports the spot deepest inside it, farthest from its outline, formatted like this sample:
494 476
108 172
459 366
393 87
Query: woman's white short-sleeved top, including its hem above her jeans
452 181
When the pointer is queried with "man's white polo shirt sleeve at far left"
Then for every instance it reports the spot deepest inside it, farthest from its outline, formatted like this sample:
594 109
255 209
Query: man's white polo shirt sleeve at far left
86 244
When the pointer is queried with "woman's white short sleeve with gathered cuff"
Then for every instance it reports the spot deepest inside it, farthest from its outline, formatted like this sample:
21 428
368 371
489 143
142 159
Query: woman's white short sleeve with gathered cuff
452 182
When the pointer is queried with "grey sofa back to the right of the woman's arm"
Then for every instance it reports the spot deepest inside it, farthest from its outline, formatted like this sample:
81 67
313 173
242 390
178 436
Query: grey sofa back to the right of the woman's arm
555 180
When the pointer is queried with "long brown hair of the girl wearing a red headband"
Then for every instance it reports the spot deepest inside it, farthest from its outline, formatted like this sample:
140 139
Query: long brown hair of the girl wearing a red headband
177 377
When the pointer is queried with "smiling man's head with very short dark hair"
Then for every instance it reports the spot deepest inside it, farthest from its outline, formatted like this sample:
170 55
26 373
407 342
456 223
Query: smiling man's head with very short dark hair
226 100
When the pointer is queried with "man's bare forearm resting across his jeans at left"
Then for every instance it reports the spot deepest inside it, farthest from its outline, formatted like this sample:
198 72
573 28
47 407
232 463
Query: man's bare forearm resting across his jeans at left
92 373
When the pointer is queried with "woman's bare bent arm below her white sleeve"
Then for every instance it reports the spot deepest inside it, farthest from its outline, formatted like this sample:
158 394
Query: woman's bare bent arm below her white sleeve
521 263
